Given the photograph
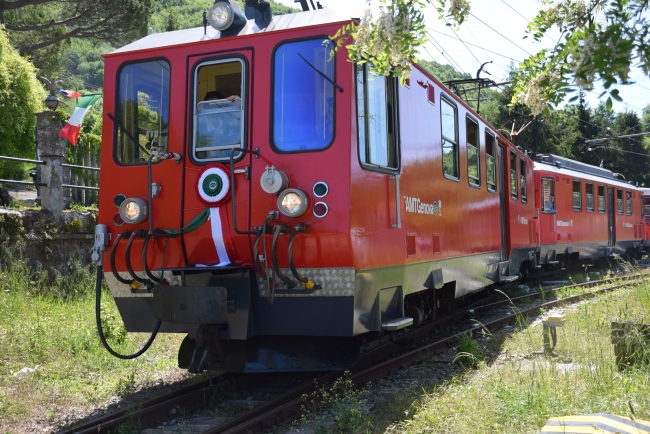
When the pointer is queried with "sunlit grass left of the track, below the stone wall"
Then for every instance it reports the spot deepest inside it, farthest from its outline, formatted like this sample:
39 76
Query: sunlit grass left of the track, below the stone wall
48 326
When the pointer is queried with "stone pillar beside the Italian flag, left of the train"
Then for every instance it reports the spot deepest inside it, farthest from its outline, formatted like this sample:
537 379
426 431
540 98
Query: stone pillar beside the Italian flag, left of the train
51 150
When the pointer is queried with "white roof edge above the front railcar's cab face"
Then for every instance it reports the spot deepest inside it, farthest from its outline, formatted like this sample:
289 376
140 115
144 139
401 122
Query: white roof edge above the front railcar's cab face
279 22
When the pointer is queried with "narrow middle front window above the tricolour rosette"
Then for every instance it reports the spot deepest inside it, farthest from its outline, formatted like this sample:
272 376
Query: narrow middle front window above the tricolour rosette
218 112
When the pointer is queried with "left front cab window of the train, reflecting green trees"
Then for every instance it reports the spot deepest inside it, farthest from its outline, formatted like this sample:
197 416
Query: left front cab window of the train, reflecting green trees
141 111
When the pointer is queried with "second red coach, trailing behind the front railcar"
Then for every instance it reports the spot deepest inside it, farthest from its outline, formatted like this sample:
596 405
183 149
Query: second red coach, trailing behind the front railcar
594 214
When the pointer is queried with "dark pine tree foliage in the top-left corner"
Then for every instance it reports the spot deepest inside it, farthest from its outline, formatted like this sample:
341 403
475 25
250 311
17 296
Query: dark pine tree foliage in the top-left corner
42 27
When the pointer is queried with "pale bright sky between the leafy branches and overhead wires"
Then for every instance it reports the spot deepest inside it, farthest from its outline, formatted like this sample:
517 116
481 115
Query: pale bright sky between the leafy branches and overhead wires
494 32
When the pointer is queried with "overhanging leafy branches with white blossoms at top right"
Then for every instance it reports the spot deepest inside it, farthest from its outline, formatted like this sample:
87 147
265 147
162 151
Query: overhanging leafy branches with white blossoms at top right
600 40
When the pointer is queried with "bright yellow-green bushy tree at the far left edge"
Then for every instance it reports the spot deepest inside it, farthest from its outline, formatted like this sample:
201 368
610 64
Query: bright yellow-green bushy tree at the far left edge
20 96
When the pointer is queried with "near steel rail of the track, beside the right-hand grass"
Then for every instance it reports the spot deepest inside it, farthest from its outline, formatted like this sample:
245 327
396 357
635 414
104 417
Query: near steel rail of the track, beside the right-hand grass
283 411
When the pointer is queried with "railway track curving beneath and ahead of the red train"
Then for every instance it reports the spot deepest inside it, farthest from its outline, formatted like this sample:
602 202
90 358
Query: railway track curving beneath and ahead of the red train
376 362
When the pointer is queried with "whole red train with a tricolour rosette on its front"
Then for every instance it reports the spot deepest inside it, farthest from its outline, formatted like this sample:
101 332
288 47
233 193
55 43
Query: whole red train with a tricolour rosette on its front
281 208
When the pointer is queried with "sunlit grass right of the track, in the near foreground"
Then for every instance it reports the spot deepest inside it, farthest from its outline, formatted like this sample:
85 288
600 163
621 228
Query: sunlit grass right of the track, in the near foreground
514 389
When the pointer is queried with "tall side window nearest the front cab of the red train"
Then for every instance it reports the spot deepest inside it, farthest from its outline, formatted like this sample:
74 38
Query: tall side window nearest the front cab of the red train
377 118
